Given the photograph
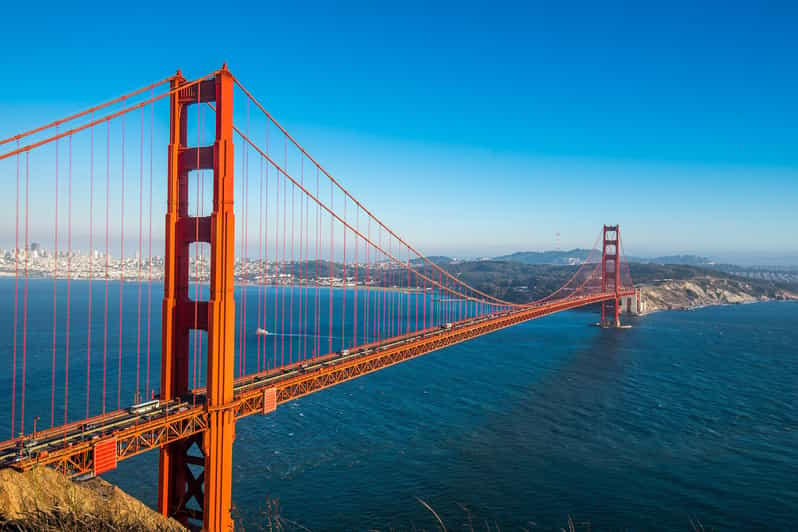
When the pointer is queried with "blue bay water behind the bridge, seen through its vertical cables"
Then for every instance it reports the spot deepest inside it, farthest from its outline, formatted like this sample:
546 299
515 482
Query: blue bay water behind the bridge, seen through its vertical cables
113 340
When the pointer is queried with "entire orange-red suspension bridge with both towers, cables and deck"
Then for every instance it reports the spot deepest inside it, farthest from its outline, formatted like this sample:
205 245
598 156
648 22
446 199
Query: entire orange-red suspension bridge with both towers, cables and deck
336 293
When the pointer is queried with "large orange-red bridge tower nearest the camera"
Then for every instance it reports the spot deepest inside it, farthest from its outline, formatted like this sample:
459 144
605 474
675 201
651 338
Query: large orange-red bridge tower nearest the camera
194 478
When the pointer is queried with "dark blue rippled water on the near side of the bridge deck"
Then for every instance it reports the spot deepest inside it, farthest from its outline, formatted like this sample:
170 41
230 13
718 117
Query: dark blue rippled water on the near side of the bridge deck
689 415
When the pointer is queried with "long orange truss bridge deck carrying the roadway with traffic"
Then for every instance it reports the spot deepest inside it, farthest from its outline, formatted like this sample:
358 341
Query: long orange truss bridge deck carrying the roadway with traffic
70 448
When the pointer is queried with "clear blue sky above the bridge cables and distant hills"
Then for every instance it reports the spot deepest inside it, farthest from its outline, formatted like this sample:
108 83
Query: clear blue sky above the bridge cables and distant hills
479 129
